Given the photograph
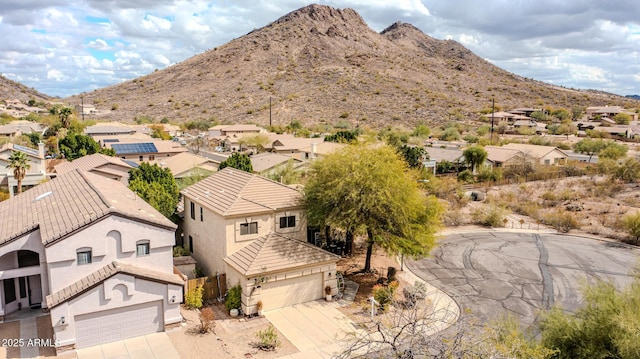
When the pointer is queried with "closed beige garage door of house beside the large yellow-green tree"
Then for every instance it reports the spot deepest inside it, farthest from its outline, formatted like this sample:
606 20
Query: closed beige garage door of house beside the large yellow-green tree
283 293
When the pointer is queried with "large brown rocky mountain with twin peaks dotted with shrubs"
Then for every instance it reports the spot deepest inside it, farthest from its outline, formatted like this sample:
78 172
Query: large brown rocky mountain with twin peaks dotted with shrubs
319 64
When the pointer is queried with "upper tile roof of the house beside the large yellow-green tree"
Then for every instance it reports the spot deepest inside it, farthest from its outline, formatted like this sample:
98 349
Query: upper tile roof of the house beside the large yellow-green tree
231 192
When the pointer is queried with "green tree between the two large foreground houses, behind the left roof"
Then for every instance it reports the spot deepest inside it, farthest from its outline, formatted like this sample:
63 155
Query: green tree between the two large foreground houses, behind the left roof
156 186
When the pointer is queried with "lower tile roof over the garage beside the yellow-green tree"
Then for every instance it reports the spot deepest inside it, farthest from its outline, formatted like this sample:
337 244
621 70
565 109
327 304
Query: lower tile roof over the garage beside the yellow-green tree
276 253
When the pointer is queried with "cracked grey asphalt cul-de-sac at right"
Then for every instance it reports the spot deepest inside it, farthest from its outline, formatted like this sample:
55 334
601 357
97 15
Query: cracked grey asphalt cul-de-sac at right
495 273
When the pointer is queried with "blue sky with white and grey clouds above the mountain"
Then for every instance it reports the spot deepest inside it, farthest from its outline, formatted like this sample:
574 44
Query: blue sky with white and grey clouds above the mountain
66 47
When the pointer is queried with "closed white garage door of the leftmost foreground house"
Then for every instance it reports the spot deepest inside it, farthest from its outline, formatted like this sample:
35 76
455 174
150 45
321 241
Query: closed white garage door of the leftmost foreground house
117 324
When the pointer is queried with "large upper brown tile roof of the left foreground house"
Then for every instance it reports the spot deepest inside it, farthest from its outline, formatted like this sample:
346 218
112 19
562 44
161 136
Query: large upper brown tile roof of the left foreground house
69 202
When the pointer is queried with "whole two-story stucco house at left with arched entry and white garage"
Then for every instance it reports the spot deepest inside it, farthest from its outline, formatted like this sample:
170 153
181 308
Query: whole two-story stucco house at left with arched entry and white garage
93 254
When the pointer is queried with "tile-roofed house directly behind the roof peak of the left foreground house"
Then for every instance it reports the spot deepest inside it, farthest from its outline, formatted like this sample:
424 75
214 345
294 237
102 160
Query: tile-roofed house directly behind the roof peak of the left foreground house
106 166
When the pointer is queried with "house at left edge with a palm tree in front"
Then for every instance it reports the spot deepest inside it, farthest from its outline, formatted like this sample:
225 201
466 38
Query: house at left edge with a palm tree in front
36 173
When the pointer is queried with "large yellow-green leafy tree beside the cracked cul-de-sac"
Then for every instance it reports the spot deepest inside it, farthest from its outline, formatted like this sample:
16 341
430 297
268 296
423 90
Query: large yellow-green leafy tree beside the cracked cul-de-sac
370 190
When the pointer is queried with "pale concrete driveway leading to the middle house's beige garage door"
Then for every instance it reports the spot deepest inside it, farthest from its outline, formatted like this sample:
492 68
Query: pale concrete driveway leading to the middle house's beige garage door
315 328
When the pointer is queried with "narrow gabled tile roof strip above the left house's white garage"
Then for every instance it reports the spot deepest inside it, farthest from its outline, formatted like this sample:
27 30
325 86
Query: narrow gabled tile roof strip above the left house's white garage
99 276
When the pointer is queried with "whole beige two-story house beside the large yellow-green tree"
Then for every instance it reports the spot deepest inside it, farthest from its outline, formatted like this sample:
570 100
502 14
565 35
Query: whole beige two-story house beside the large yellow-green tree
254 230
